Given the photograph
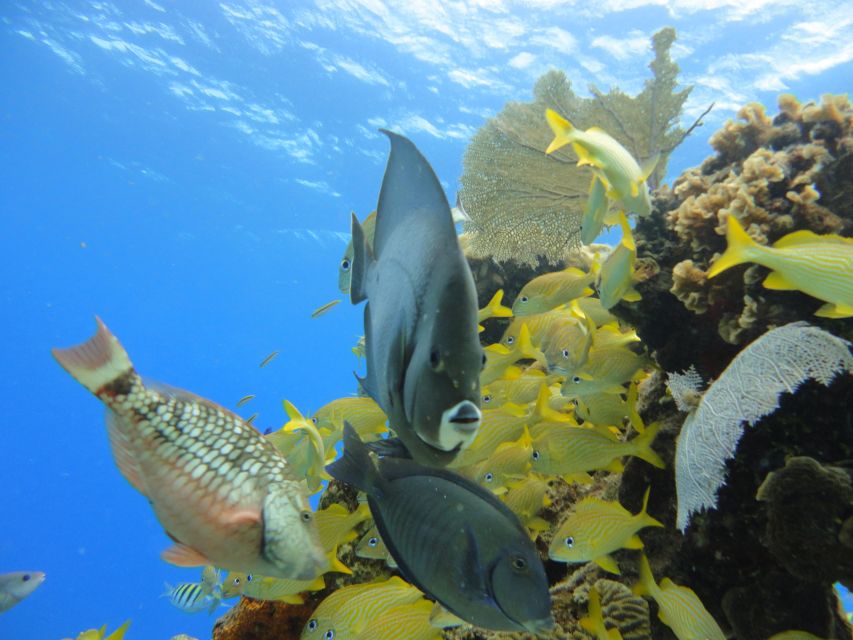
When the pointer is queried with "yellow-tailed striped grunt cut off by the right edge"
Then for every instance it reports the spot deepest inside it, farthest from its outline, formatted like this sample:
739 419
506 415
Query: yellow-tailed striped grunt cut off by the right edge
820 266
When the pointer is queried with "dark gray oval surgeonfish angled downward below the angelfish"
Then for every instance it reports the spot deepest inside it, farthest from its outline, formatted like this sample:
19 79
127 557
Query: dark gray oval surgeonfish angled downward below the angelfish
452 539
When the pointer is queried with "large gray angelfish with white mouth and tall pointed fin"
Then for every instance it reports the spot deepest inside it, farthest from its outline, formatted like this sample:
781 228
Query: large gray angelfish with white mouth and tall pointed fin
422 348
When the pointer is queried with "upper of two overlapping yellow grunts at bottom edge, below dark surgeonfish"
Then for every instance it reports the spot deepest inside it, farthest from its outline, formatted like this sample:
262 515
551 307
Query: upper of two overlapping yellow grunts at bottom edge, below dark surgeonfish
347 611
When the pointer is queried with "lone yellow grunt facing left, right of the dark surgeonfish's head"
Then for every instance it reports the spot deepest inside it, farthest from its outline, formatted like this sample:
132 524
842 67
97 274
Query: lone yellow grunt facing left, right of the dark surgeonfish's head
598 528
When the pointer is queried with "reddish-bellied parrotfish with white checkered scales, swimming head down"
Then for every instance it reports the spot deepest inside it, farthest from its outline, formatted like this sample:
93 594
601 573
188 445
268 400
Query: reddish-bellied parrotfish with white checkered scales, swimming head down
223 493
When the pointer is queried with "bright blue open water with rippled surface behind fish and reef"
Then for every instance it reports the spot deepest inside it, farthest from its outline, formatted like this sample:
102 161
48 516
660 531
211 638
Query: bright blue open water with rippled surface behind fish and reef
187 172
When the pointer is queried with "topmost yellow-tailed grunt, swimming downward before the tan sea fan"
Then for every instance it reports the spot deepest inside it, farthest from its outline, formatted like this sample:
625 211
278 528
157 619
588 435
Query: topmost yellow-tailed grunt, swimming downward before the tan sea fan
623 177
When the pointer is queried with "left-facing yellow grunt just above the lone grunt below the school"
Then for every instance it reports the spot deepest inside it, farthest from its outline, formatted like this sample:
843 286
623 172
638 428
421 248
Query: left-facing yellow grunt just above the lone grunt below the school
560 450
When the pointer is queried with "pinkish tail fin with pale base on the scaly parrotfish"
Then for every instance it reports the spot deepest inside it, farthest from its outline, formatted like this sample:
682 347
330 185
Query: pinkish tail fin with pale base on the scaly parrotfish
97 362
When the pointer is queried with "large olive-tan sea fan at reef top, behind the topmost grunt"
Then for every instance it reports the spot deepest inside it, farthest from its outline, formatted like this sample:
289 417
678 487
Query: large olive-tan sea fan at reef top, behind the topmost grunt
524 204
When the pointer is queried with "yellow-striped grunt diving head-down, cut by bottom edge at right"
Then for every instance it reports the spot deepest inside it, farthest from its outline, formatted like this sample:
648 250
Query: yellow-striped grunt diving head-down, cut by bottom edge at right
679 607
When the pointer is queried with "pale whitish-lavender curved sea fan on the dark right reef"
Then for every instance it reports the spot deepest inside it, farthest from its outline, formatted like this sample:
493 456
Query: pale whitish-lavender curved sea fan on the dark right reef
749 389
